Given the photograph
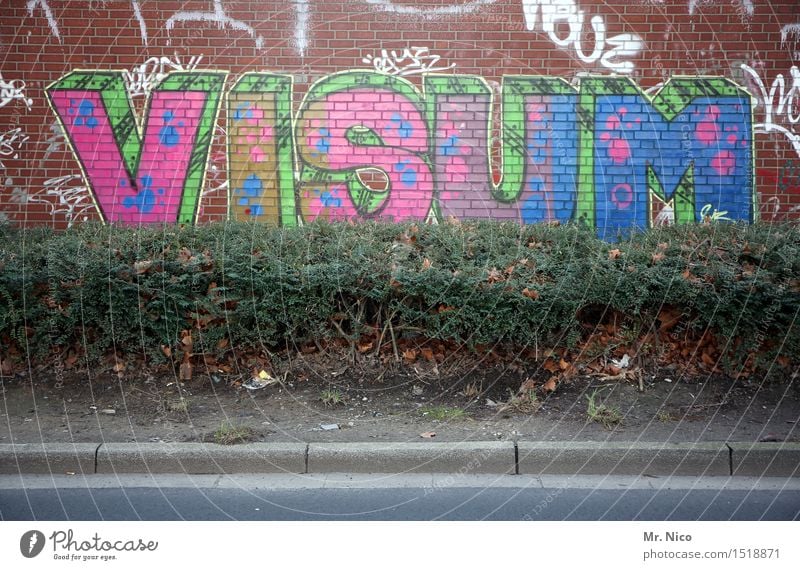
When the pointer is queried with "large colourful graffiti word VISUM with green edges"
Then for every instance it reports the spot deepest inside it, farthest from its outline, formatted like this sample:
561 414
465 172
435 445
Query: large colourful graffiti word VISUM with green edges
364 144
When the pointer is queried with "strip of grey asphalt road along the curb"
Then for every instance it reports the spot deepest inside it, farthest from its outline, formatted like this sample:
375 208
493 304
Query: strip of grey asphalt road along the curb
395 498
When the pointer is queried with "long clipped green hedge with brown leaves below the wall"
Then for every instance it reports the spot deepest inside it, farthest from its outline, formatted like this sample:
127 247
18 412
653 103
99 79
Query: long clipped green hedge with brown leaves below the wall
241 286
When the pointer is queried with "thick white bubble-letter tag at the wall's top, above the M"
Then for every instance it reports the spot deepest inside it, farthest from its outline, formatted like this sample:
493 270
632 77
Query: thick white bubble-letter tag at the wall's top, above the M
557 12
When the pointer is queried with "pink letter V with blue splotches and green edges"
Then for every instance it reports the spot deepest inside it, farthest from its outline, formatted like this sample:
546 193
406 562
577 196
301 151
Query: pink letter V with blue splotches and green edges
136 177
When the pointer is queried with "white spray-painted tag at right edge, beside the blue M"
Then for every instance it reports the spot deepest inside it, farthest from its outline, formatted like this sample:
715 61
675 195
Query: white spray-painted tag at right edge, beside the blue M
778 102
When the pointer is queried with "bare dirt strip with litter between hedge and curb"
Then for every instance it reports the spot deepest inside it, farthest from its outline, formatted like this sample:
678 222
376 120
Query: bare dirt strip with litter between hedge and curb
456 401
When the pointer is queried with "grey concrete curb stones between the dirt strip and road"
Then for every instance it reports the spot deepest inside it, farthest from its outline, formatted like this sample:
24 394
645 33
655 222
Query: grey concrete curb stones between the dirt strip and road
490 457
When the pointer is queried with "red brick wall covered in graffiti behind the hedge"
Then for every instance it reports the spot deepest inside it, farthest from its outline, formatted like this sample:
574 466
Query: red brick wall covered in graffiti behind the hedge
620 113
